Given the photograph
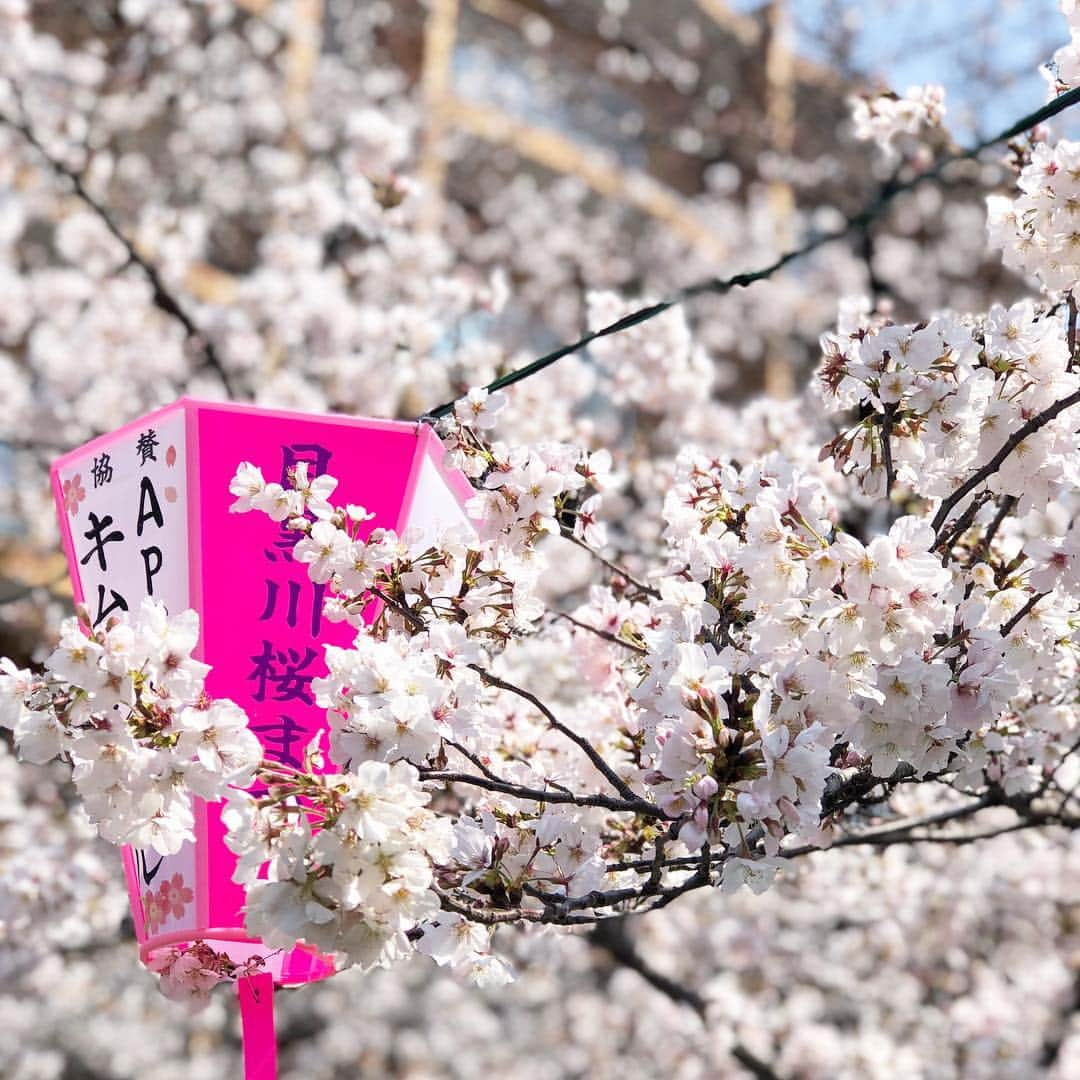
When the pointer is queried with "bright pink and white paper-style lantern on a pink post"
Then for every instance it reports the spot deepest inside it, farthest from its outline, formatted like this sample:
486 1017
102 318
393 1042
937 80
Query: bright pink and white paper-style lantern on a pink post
145 512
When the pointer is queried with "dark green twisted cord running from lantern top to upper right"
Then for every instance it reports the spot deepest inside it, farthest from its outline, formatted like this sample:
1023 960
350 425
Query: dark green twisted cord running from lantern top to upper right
721 286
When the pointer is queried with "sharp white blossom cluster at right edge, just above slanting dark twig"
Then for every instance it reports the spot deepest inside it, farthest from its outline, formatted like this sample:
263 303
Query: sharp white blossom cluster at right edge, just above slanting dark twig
942 400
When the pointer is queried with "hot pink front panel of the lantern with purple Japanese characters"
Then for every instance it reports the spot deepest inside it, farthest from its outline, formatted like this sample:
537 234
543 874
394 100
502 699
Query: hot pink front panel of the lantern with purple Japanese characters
264 630
